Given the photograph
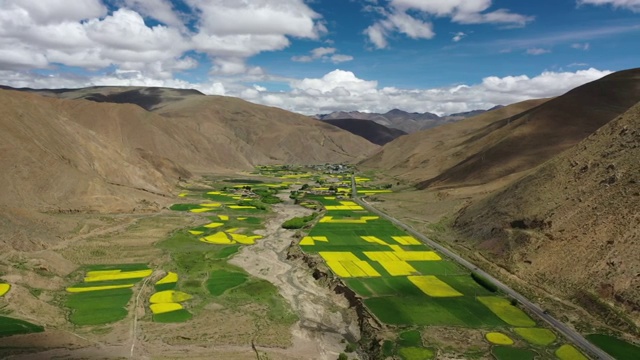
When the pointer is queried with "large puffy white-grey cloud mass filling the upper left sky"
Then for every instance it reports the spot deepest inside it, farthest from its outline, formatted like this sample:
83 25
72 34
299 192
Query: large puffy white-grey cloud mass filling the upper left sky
44 34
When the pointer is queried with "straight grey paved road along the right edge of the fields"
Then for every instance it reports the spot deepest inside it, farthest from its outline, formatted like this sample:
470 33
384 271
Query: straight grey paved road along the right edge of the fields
569 333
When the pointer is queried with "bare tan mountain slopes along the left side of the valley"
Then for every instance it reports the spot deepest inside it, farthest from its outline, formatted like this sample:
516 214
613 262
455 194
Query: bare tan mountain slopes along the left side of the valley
77 154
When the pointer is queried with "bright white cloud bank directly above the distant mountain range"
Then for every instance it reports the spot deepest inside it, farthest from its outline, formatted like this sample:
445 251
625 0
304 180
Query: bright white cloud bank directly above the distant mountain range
343 90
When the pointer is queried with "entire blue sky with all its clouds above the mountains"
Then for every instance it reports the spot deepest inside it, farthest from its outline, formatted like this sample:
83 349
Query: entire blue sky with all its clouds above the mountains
319 56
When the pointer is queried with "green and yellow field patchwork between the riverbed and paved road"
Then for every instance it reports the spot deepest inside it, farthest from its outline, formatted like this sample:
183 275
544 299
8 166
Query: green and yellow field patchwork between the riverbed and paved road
404 283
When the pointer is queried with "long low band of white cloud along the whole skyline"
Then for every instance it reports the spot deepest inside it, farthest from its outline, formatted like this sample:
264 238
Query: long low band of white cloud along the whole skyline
343 90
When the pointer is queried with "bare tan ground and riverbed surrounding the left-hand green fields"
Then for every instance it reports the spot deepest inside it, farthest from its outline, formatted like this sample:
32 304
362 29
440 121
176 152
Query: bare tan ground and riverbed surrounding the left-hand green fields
242 332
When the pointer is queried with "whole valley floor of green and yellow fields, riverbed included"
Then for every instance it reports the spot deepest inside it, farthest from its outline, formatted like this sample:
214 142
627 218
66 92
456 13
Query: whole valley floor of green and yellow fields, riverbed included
215 275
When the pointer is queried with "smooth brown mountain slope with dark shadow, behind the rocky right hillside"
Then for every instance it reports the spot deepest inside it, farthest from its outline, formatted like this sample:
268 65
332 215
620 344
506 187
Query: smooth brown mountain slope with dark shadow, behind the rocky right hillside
510 140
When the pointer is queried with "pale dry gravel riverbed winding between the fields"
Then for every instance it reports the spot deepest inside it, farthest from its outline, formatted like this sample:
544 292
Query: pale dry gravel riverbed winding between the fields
325 318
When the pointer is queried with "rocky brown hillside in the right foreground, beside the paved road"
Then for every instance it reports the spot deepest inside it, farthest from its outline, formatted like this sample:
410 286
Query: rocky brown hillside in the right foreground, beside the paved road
572 225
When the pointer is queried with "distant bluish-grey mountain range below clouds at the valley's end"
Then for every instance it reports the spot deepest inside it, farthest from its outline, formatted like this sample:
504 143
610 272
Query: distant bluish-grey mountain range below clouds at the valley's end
403 120
